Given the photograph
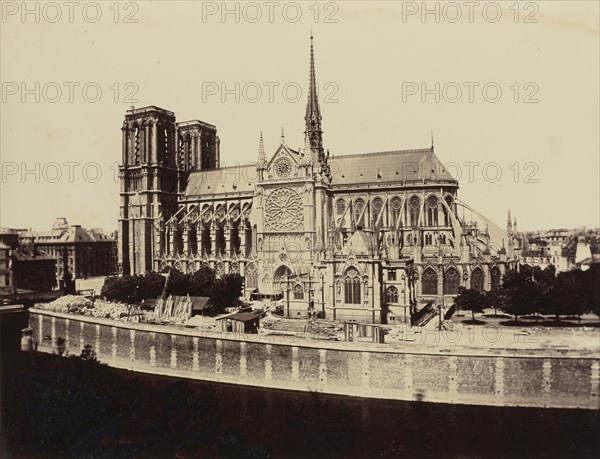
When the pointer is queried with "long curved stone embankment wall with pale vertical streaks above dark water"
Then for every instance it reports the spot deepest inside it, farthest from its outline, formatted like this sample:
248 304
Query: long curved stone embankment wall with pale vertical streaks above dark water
544 378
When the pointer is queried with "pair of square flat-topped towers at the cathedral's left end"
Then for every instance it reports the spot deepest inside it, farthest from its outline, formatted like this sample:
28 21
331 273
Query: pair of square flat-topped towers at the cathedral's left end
158 154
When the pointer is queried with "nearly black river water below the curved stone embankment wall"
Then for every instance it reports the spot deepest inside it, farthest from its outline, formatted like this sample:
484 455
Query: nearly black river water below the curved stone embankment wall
67 407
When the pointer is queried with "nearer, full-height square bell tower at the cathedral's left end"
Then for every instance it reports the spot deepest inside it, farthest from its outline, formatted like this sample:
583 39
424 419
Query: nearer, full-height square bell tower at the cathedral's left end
149 182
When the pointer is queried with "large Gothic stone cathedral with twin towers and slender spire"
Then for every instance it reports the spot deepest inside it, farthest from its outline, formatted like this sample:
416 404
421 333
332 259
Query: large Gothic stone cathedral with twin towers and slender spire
370 237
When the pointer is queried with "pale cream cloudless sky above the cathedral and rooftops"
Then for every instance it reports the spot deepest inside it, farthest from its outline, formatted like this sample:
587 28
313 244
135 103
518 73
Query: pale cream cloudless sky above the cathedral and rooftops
509 92
